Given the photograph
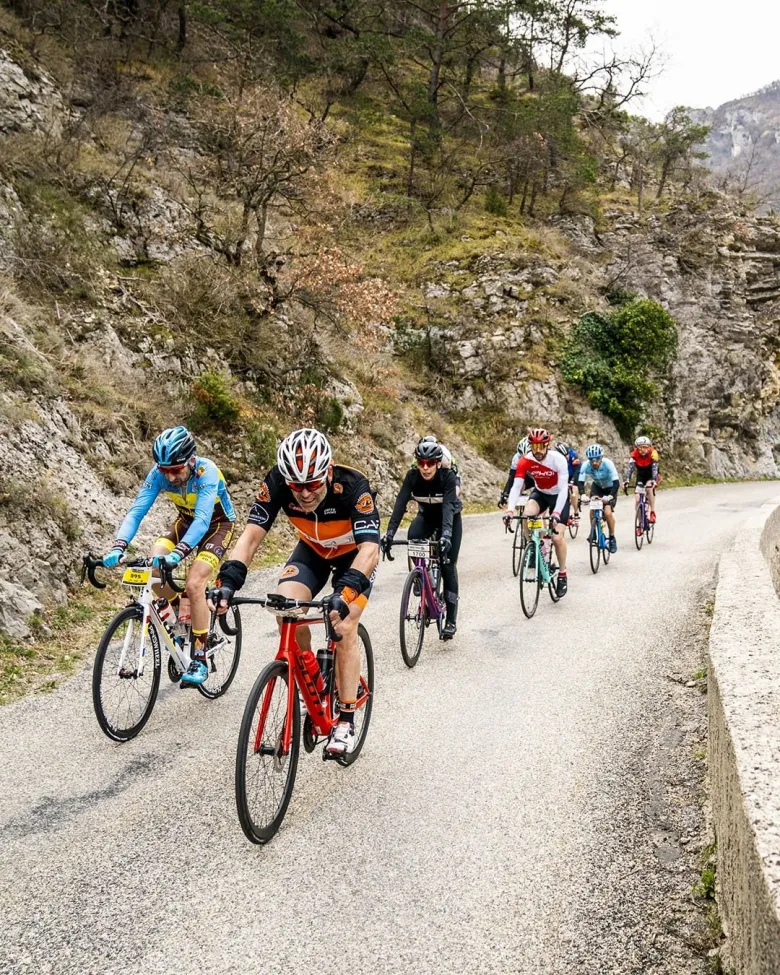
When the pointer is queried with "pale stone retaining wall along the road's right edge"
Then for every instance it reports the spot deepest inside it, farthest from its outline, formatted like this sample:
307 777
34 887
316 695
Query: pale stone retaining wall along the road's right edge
744 720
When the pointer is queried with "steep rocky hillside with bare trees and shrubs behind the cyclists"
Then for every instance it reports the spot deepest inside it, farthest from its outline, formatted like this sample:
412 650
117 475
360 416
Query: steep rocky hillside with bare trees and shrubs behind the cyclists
382 218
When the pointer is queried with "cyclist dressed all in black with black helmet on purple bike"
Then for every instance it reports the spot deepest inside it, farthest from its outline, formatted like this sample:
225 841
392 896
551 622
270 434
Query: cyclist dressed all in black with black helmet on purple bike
434 488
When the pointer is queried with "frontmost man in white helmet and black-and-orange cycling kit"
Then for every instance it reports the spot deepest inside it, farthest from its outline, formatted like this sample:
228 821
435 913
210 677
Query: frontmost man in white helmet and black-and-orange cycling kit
334 511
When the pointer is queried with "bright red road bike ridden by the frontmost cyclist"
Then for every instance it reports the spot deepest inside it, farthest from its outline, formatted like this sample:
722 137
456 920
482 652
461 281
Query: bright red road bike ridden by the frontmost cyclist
270 735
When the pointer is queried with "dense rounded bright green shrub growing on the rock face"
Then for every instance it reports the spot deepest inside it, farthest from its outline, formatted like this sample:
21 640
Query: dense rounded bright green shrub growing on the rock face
619 358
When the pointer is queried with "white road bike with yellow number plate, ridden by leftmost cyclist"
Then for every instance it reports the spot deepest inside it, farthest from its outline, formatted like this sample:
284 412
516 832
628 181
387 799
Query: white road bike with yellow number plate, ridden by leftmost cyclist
128 663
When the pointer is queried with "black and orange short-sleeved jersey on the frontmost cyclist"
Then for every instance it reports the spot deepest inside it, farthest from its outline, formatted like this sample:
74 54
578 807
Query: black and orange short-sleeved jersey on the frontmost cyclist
346 517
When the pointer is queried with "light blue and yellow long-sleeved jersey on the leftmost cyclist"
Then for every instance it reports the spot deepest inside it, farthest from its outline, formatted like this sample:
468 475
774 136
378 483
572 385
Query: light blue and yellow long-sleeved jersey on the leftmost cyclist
203 499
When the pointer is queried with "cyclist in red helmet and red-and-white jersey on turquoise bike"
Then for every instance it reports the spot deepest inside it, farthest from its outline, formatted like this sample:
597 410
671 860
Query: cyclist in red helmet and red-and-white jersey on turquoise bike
549 471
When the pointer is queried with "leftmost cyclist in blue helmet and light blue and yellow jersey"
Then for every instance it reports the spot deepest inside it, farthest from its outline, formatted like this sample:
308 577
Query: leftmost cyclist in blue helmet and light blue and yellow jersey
204 522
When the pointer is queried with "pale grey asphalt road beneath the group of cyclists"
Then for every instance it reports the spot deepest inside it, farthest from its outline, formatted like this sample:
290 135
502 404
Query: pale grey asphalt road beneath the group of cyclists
489 825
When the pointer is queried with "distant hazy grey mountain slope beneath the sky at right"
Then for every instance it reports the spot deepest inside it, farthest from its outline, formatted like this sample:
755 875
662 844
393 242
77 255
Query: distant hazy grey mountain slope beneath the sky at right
744 143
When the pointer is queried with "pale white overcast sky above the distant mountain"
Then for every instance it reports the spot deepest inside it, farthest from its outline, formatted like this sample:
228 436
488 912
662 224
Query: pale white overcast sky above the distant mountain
714 50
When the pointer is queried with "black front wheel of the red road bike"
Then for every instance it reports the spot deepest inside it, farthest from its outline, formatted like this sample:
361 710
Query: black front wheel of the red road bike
261 827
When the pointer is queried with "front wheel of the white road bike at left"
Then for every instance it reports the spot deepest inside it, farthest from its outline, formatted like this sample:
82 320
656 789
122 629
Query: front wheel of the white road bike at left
123 699
